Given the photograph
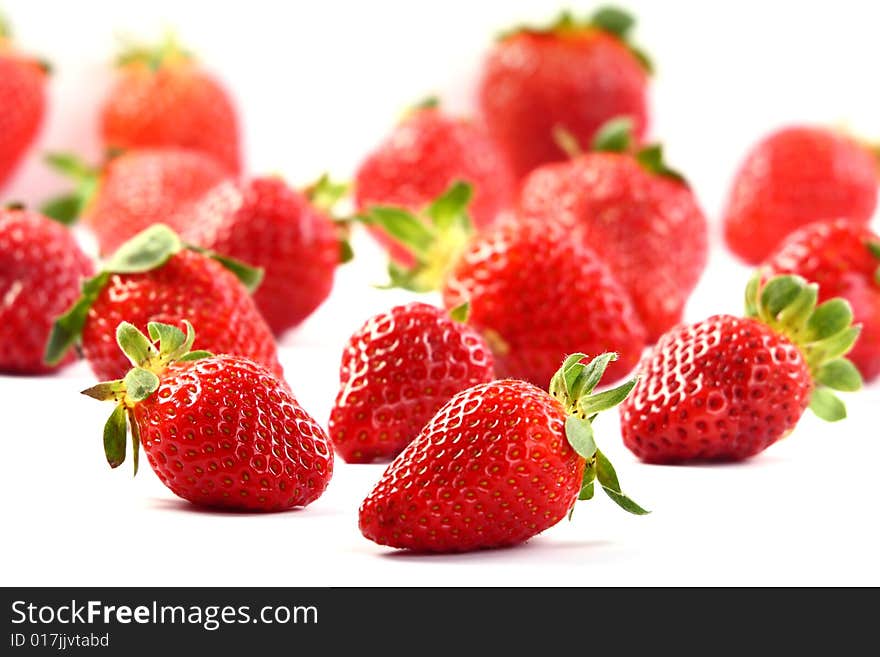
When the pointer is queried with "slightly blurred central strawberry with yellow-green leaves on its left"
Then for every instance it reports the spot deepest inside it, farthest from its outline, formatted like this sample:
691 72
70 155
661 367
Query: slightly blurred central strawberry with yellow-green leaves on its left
534 292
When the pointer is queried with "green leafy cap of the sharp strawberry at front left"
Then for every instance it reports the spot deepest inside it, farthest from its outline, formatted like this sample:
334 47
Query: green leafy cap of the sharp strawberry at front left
149 357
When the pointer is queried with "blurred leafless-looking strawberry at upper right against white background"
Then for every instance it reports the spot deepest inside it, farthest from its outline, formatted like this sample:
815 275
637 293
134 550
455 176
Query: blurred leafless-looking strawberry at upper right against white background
794 177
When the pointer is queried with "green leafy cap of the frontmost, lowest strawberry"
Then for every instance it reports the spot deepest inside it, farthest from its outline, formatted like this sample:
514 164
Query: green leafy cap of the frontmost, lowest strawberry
573 386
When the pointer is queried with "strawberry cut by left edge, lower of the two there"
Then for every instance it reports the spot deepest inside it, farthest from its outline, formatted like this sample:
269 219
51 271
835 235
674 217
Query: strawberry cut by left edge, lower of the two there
41 268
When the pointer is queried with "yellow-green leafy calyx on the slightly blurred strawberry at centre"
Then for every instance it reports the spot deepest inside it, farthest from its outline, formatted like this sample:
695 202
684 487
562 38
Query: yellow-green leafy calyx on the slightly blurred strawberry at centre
436 238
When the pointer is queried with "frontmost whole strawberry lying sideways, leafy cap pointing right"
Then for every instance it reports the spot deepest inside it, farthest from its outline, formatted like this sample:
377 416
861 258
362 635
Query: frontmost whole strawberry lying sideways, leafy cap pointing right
499 463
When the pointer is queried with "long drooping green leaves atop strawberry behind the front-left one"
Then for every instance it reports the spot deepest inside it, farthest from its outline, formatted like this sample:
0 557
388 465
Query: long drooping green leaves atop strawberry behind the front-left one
148 250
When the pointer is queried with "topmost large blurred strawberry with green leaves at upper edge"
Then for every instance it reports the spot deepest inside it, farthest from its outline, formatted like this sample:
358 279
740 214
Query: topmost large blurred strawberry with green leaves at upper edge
573 74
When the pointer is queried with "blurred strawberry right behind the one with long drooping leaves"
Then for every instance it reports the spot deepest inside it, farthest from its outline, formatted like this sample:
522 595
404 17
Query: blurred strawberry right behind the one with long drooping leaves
269 225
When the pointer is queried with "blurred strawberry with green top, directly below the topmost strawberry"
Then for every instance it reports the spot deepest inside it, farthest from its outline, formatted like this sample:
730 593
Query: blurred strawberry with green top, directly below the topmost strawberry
652 233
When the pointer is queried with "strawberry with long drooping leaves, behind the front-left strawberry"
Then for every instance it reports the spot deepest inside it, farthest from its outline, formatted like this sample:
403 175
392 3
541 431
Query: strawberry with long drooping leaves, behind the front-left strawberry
151 278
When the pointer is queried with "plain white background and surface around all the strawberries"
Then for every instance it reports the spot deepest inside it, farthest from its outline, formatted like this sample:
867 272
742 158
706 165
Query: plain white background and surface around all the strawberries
318 84
